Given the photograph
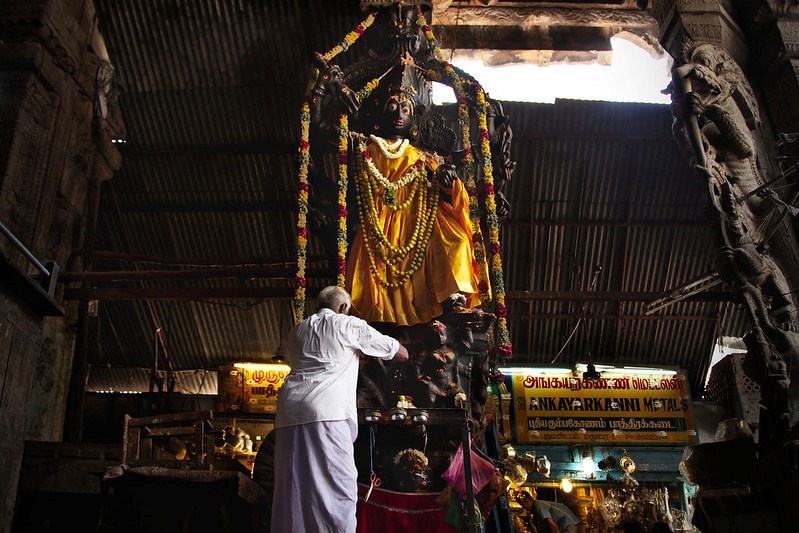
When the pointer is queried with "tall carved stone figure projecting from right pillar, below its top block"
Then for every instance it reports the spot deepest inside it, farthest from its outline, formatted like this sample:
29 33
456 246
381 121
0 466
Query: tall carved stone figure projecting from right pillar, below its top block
715 115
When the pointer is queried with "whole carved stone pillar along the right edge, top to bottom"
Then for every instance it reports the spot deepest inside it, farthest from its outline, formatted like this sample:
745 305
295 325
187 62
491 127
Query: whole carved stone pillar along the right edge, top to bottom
732 89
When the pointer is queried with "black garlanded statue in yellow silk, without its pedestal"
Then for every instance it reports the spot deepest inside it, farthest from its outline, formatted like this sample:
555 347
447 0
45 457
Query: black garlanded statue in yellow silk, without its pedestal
400 237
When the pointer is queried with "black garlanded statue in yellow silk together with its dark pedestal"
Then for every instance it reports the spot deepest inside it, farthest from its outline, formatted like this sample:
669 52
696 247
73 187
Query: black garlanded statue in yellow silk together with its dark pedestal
417 188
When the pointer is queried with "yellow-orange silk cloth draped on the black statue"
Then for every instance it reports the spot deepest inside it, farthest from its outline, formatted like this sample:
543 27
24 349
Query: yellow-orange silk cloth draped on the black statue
449 265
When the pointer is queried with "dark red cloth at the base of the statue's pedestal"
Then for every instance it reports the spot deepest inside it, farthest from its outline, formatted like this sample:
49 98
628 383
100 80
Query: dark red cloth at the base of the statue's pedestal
388 511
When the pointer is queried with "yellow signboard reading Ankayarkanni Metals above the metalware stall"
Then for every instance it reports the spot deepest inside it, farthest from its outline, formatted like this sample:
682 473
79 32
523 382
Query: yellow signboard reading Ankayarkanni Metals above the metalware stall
623 406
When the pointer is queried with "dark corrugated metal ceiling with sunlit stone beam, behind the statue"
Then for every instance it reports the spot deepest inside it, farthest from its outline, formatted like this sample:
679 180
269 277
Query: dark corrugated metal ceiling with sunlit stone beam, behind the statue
194 257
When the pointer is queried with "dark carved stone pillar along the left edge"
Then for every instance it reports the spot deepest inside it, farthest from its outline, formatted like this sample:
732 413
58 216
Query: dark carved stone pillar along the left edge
54 153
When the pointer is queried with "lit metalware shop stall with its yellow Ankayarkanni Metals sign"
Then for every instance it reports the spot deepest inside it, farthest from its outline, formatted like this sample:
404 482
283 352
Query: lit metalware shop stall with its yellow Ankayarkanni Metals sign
605 441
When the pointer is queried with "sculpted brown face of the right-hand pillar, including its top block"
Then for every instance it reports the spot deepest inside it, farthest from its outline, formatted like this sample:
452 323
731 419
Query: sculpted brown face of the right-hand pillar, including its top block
719 121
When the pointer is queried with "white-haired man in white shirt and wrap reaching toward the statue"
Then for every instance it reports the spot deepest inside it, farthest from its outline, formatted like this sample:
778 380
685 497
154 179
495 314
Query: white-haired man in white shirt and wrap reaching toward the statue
316 424
